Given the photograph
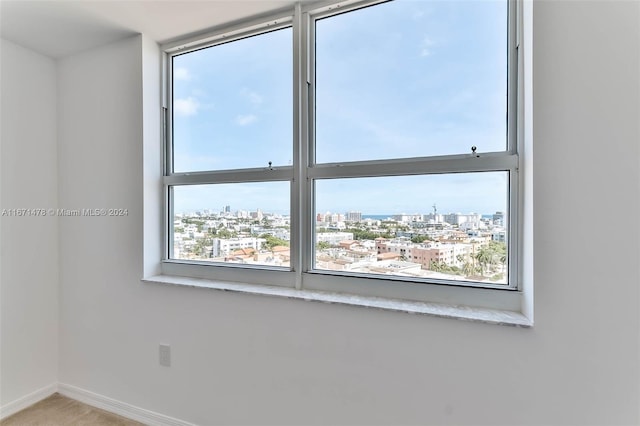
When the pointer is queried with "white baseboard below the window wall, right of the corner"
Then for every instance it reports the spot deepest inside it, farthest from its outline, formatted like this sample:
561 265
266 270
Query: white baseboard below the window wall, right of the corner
117 407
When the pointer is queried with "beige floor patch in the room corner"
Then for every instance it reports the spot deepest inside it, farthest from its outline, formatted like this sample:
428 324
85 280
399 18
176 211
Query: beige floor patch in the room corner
58 410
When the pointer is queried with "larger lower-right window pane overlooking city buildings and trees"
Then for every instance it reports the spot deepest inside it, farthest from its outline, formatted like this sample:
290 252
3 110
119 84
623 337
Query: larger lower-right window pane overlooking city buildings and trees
450 226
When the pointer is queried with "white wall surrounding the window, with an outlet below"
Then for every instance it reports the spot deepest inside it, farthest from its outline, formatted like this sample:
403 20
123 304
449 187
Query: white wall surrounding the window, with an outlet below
240 358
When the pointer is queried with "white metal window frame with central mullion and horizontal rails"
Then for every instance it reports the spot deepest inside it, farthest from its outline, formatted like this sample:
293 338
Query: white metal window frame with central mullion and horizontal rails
301 175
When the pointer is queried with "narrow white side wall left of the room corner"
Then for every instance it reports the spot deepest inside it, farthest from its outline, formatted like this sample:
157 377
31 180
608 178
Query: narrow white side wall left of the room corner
29 245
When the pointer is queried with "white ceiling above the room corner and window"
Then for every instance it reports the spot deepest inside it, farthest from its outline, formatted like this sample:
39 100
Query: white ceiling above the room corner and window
59 28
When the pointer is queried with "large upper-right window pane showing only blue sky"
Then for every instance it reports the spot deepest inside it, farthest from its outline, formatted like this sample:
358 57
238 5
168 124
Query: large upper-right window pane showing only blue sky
411 79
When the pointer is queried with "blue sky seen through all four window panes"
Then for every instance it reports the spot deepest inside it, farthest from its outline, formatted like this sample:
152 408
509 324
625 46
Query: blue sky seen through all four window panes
400 79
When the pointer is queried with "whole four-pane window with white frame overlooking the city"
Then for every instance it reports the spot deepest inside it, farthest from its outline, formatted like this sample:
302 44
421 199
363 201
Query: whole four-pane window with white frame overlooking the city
367 147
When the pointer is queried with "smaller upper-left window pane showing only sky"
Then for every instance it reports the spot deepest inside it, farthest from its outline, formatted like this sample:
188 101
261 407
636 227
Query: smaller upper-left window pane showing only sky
232 104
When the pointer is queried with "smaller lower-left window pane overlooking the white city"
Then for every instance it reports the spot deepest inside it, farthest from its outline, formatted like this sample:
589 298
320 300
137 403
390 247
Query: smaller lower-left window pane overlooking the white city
242 223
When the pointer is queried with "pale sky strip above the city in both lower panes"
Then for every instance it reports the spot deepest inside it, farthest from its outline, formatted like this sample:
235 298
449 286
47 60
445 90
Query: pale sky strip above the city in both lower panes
484 192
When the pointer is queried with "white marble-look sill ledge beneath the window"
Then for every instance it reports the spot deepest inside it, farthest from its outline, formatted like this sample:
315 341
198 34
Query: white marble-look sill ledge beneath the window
441 310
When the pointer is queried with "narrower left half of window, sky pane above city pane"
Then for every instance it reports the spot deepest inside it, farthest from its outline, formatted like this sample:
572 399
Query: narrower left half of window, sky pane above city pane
230 152
